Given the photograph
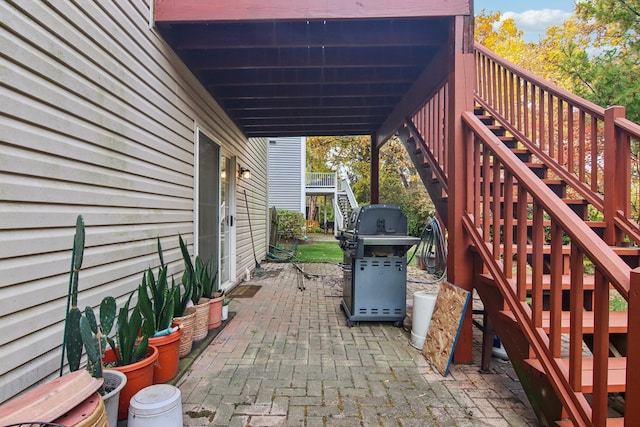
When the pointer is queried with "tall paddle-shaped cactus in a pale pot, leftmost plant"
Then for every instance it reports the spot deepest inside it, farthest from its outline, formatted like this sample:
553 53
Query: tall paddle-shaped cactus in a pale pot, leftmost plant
83 331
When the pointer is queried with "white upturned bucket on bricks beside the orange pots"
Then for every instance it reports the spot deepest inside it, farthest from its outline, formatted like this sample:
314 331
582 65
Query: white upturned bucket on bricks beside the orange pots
156 405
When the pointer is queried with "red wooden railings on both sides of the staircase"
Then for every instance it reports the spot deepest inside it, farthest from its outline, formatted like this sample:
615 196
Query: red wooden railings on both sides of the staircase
590 149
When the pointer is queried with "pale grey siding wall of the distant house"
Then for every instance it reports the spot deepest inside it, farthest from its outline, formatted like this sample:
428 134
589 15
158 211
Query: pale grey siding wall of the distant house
287 173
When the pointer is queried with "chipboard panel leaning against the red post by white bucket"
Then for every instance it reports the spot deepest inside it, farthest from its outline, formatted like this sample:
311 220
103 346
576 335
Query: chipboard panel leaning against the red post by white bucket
444 328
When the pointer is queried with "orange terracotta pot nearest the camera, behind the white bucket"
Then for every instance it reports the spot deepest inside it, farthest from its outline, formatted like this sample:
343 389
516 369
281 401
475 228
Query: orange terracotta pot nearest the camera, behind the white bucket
139 375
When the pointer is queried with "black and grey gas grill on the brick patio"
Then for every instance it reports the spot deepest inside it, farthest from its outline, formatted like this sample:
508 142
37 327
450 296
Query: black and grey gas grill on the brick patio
375 244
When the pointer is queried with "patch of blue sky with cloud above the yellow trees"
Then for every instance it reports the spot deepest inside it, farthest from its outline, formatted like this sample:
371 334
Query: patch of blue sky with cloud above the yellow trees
532 17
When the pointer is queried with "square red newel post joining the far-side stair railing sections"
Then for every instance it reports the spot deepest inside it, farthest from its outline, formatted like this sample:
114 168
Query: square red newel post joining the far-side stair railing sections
616 175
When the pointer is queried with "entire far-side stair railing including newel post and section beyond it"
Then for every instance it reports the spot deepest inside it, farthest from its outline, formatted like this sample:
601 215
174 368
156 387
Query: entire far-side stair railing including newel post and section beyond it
582 143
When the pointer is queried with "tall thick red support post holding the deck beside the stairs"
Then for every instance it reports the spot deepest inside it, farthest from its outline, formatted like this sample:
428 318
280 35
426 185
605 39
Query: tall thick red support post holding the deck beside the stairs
460 99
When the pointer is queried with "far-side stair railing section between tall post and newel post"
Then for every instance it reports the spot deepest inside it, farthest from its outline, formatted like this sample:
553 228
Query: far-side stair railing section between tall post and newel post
569 128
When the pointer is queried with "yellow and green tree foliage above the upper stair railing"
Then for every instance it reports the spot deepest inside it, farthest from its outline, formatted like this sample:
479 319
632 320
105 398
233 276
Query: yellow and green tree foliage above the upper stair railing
595 53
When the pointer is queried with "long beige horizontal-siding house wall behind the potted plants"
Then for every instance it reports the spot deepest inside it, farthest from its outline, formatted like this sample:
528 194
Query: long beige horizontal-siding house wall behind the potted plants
98 117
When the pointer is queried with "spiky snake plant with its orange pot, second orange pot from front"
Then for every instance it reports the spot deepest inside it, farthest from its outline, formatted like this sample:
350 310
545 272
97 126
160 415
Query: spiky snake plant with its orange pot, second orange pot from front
156 301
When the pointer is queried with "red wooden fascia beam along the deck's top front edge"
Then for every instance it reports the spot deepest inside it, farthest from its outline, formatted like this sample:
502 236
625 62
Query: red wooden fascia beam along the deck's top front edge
172 11
